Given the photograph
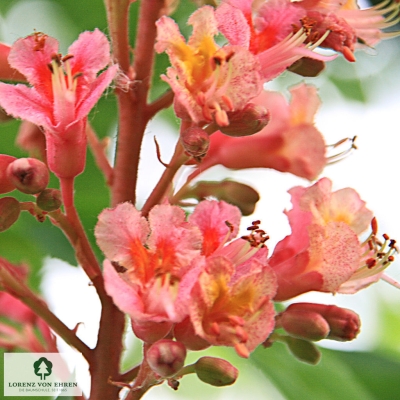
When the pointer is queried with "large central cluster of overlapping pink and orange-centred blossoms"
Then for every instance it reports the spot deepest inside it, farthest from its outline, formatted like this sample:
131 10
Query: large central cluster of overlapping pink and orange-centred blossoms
168 271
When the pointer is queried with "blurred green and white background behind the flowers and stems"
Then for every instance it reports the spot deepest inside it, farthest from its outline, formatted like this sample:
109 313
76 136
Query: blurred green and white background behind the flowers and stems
360 99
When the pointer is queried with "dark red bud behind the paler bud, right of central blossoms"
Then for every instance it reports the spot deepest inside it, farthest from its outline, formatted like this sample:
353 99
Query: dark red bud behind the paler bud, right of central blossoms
344 324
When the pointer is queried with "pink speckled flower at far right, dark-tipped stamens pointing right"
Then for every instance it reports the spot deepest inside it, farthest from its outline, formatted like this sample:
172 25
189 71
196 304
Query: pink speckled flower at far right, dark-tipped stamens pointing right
324 252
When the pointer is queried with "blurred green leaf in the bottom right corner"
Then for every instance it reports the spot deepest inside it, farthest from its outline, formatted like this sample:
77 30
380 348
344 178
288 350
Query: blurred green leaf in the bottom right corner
339 375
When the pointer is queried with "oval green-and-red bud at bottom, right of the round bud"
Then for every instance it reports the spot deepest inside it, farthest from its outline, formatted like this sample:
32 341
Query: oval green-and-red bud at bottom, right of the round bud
216 371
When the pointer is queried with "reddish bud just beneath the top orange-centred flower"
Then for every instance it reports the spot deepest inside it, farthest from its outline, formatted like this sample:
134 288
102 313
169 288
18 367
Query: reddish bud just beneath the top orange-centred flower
248 121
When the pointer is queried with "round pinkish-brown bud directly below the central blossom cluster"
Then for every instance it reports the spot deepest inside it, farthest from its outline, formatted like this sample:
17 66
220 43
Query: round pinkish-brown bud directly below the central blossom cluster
166 357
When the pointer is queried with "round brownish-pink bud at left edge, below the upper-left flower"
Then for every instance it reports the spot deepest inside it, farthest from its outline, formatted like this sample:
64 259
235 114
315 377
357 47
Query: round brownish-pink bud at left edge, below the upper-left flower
29 175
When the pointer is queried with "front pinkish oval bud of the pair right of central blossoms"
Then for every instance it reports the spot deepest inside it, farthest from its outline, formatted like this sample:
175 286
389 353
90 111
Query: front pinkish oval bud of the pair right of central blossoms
305 324
